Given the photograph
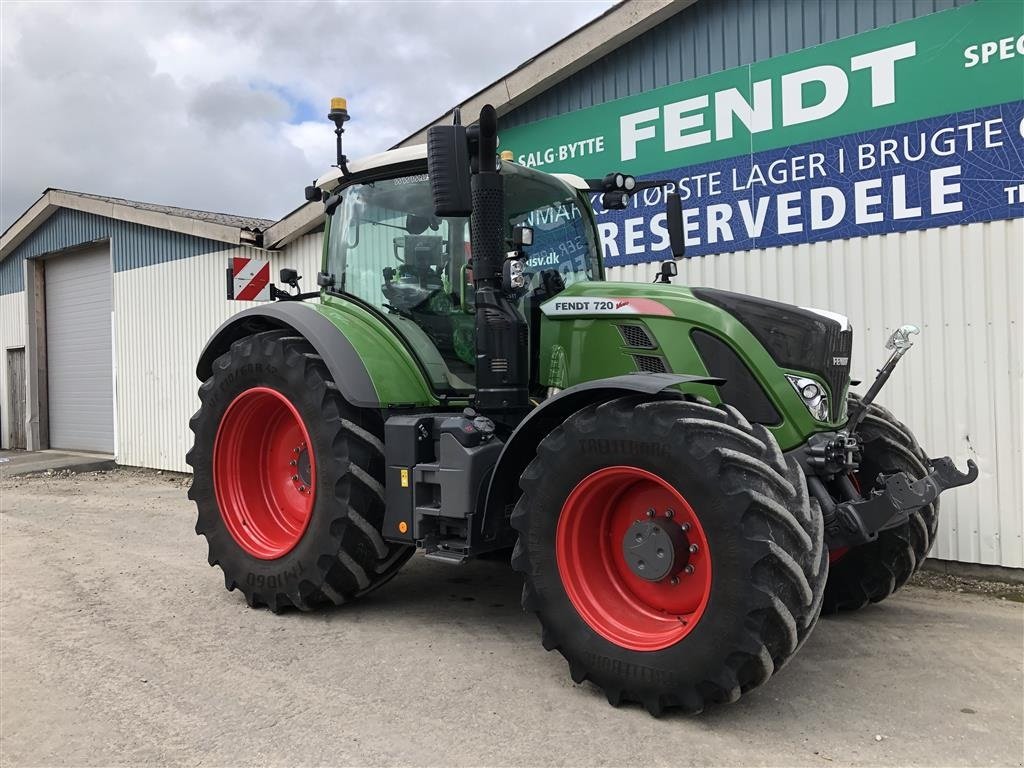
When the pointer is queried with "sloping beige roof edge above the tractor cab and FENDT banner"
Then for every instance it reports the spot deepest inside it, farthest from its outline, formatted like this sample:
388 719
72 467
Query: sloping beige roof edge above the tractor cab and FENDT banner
612 30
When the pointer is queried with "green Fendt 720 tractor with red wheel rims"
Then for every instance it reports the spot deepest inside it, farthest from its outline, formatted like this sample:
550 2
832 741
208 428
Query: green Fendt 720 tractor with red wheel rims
681 475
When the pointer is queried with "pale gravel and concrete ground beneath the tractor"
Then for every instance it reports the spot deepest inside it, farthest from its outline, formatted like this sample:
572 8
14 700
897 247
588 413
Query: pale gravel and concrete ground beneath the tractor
119 646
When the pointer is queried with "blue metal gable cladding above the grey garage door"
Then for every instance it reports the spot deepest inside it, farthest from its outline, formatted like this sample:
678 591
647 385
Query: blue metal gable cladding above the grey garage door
133 245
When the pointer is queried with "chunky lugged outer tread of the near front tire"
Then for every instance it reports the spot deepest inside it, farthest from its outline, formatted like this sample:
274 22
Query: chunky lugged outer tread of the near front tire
754 473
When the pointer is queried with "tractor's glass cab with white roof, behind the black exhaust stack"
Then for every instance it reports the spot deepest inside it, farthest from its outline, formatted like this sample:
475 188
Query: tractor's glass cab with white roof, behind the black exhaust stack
389 251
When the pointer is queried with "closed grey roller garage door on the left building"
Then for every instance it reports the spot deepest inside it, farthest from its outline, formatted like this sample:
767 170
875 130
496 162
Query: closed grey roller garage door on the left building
79 363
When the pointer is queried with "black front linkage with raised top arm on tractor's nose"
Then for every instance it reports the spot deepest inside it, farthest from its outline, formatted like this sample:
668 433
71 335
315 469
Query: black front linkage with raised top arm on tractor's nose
834 457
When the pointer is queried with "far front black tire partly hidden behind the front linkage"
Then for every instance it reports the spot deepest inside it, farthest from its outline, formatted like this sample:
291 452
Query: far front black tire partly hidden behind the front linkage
873 572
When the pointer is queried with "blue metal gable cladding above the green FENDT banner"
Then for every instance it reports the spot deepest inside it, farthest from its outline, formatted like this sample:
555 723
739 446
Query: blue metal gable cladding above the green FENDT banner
712 36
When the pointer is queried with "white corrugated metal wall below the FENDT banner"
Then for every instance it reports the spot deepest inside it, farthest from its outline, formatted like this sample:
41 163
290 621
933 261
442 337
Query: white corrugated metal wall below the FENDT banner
960 390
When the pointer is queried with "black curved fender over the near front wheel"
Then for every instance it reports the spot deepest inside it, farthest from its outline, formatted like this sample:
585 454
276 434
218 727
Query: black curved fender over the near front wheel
522 446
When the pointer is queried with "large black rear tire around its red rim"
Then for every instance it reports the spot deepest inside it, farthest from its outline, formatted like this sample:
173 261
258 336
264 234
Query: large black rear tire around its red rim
342 553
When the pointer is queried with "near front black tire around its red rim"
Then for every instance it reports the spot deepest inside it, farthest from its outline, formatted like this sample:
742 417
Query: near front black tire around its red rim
764 535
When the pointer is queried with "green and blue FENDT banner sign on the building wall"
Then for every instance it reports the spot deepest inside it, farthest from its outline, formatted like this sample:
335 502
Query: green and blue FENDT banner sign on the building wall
913 126
